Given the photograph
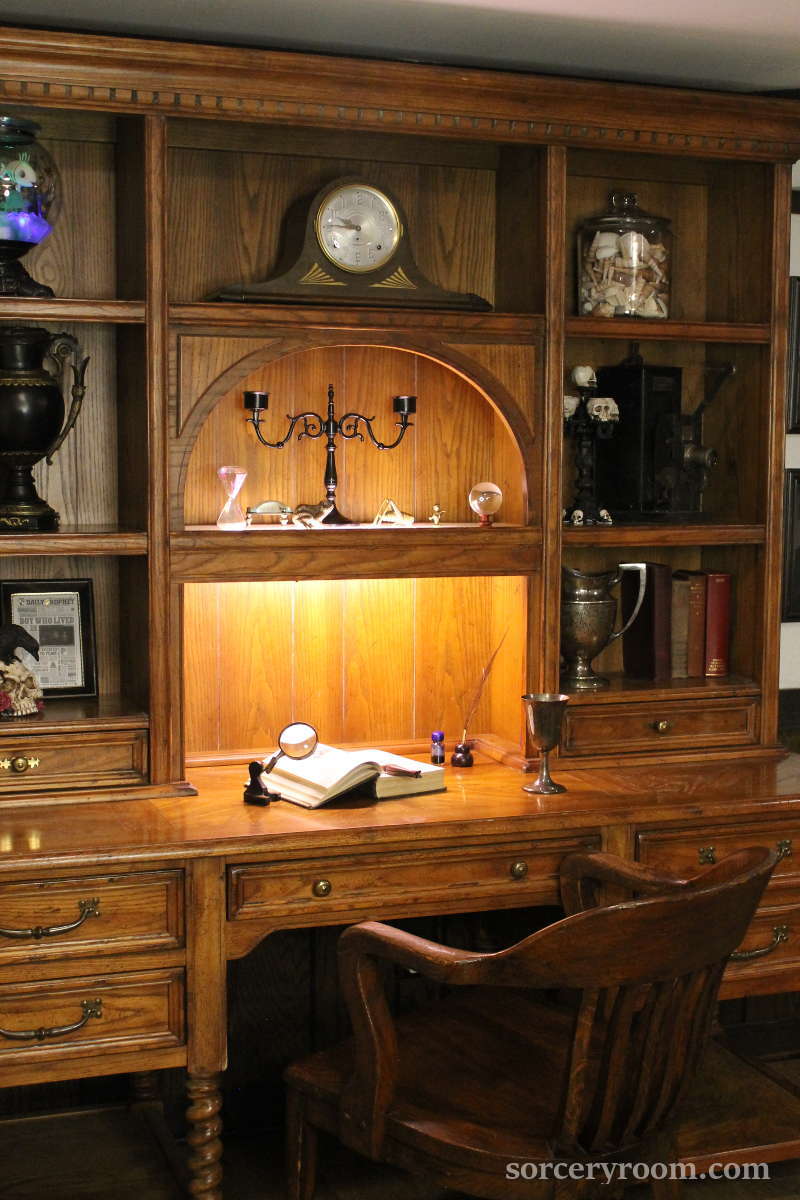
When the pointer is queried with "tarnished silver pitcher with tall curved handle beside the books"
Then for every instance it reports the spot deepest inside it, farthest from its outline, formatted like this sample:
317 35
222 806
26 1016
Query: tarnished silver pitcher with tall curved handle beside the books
588 615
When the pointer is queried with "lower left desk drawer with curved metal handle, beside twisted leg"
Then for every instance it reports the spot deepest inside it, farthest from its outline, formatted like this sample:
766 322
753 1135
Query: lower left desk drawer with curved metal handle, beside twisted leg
133 1012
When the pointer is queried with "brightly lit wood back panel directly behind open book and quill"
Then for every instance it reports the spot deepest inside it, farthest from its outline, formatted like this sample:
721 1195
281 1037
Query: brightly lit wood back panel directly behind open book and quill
365 661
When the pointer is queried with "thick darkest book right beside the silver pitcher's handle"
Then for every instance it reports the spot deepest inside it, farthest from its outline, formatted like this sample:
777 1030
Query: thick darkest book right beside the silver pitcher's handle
647 645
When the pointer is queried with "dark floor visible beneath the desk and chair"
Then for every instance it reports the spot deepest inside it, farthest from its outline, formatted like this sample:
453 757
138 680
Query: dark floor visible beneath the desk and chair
112 1155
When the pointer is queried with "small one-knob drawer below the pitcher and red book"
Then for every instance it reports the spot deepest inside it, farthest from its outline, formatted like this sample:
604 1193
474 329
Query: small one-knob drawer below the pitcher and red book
610 730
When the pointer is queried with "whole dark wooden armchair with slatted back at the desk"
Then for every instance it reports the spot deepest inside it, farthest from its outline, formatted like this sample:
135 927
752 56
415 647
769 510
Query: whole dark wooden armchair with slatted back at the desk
497 1073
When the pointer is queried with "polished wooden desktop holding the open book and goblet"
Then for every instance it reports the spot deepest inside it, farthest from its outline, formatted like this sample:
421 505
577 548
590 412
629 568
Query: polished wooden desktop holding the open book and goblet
484 802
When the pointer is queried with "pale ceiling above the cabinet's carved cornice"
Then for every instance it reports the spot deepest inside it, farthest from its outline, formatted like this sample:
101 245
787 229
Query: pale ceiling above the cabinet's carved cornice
737 45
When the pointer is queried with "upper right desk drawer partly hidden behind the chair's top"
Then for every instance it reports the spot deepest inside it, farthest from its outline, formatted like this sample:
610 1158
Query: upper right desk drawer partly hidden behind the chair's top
687 853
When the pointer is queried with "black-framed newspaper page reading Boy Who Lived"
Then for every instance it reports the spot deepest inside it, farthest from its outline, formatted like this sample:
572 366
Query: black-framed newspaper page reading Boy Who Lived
61 615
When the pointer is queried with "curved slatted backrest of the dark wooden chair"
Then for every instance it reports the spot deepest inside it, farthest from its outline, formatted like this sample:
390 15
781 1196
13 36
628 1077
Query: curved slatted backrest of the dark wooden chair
647 975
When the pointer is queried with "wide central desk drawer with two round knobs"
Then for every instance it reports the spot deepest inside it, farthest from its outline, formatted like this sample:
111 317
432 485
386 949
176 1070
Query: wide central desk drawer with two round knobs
423 881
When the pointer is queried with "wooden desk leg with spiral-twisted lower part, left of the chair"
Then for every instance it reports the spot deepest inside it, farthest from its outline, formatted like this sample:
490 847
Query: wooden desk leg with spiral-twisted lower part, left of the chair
207 1023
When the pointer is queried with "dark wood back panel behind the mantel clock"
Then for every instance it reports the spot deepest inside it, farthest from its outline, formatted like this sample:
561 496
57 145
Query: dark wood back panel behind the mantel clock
450 213
